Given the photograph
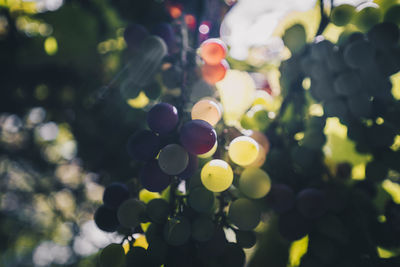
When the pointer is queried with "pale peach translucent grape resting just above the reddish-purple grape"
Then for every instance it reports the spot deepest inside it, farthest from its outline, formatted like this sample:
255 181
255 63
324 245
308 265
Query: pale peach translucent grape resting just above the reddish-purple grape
207 110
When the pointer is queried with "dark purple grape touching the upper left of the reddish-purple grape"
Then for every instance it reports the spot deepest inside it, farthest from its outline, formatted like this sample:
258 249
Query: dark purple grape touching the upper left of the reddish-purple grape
162 118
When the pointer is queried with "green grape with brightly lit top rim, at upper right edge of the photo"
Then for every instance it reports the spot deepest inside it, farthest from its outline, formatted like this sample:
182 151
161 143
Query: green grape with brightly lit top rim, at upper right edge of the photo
368 16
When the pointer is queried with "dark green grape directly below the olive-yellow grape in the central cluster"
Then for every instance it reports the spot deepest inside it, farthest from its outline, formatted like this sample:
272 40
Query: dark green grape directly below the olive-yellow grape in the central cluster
244 214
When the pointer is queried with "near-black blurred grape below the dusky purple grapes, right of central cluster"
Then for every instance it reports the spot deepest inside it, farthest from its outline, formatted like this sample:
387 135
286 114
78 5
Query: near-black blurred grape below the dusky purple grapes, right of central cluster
293 226
